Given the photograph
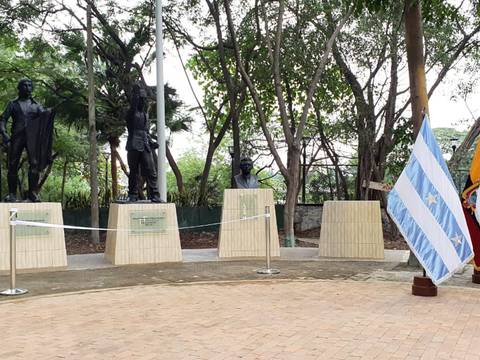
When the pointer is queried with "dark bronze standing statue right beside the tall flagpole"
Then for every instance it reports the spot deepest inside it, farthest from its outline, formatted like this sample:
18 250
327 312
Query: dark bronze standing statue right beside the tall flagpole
140 147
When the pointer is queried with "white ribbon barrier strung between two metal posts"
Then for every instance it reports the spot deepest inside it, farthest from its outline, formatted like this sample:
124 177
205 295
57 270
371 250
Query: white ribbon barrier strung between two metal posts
72 227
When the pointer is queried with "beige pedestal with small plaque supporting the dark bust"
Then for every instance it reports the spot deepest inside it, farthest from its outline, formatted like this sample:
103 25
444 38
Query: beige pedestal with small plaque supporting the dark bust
242 239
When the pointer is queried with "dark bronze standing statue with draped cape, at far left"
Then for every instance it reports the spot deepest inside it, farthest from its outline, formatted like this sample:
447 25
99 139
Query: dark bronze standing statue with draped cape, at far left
32 129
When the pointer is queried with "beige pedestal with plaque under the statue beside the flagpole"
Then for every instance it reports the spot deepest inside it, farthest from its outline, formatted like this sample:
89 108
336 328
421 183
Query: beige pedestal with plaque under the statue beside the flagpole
148 234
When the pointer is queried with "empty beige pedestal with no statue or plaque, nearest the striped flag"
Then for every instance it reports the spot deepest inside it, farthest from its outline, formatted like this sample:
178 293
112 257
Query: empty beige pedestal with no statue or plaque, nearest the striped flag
351 229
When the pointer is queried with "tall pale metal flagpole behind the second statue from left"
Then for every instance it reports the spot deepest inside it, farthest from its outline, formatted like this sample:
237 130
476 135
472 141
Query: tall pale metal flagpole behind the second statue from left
162 173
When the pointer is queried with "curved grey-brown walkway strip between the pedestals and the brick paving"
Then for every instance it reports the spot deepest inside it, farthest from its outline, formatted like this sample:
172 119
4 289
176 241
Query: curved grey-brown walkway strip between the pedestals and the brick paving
87 272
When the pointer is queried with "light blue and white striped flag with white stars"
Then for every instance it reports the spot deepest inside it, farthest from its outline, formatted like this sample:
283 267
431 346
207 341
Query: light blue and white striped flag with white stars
425 205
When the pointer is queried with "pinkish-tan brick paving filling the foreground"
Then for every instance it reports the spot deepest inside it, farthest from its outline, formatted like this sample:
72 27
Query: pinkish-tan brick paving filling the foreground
247 320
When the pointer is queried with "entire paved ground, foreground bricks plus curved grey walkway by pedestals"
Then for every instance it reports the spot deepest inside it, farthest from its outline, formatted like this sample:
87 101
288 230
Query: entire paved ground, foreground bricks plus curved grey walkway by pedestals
204 308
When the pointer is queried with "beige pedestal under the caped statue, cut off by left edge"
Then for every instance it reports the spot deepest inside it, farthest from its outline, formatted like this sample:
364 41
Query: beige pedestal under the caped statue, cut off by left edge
37 247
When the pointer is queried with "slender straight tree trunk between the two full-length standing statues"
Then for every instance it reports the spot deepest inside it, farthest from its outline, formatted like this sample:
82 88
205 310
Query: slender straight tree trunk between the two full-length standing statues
94 212
